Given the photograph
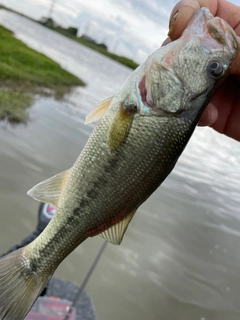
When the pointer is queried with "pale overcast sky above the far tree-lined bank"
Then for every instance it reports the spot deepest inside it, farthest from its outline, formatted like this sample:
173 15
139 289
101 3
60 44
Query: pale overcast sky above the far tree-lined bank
134 28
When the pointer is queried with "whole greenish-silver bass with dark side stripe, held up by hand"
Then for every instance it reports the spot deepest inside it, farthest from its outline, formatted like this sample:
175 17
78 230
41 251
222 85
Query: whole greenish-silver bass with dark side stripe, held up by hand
141 132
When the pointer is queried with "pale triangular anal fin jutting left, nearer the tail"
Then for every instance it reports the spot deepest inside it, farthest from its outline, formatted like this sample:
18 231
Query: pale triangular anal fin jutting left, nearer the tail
50 190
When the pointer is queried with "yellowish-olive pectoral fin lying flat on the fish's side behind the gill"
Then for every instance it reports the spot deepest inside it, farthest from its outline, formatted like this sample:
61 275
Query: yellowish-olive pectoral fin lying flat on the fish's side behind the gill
120 127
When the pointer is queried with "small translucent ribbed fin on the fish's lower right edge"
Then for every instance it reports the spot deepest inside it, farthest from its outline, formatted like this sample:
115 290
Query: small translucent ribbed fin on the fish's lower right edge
115 233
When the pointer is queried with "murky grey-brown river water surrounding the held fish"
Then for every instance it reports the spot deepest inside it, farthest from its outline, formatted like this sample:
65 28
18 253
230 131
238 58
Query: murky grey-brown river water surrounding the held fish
180 258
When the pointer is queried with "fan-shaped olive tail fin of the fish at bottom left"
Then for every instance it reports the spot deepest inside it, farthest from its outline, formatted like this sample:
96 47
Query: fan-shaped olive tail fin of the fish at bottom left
20 286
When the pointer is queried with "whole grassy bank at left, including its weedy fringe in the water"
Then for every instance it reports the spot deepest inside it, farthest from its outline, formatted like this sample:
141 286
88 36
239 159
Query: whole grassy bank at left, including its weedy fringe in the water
25 72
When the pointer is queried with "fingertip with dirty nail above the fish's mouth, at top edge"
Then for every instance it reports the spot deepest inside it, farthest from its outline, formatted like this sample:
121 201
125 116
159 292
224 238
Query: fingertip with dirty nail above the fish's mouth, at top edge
183 12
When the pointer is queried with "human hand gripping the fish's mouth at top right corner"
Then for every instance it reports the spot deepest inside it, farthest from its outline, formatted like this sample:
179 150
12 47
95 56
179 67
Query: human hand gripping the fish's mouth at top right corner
223 112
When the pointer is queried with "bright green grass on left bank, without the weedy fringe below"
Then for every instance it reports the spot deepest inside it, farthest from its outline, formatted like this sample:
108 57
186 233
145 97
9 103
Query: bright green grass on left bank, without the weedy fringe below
23 65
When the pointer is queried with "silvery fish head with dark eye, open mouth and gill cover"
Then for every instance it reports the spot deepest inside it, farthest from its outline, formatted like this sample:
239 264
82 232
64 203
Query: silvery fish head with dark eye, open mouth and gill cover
186 72
